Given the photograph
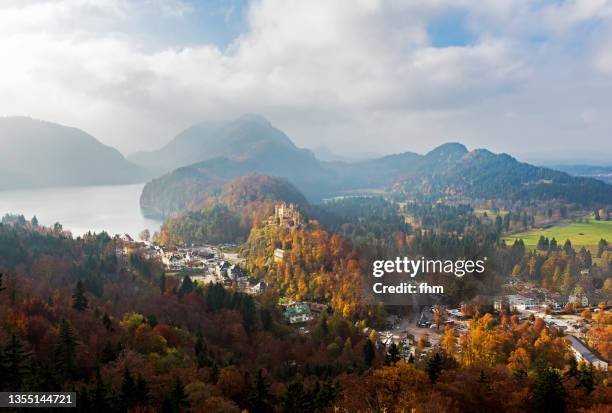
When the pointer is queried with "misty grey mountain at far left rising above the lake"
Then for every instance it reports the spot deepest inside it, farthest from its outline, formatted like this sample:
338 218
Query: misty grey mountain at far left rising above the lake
36 153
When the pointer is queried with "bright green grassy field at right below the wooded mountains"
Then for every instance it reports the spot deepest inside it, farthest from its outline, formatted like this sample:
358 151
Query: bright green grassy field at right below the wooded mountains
587 233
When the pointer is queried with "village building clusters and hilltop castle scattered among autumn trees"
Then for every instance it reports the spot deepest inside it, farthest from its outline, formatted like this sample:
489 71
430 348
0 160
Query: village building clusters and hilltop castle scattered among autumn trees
414 335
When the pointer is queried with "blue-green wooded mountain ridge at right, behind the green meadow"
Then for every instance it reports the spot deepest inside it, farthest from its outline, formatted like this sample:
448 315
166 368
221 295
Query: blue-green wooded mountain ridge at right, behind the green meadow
485 175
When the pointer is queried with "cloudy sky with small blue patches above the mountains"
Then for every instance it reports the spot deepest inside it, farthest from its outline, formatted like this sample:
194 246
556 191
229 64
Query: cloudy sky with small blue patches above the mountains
529 77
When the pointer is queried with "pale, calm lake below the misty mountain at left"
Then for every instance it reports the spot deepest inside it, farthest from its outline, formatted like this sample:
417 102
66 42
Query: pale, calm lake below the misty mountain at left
114 209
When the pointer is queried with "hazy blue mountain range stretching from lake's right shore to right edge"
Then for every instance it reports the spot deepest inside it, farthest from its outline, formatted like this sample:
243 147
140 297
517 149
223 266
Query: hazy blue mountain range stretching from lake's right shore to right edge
252 145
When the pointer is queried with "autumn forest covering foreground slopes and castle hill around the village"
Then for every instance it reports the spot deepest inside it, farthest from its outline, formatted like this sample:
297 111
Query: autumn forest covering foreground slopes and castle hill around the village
77 314
